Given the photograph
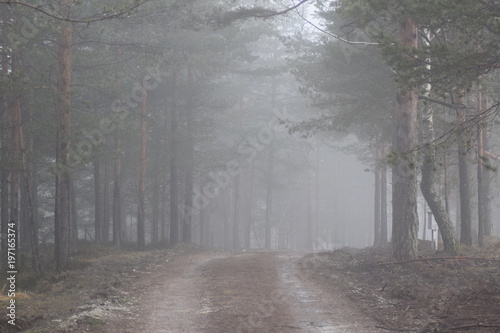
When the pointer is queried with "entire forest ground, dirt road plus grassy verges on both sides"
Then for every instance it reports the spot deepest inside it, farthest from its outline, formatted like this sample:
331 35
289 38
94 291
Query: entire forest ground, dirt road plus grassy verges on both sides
187 289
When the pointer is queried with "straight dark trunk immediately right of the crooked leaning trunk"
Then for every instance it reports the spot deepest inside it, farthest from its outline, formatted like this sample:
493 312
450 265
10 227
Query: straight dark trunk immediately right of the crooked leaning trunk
463 172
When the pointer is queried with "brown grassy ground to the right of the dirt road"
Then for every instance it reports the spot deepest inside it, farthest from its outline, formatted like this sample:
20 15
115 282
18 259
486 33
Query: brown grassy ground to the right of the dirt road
435 293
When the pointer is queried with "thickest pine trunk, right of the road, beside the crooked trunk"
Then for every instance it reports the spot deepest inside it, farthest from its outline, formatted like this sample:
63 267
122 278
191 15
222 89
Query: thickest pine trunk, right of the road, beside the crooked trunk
404 171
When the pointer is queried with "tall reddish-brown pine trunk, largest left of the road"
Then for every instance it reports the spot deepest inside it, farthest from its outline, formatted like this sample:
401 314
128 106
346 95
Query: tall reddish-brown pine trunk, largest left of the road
63 177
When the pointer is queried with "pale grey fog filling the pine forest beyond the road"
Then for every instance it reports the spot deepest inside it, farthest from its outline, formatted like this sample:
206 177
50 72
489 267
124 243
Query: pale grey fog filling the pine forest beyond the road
234 126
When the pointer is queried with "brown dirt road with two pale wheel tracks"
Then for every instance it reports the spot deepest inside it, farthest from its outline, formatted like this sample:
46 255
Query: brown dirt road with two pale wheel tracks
254 291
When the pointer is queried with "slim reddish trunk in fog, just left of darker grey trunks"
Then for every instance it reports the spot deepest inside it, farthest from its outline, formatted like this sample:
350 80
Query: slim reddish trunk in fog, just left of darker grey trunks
141 211
